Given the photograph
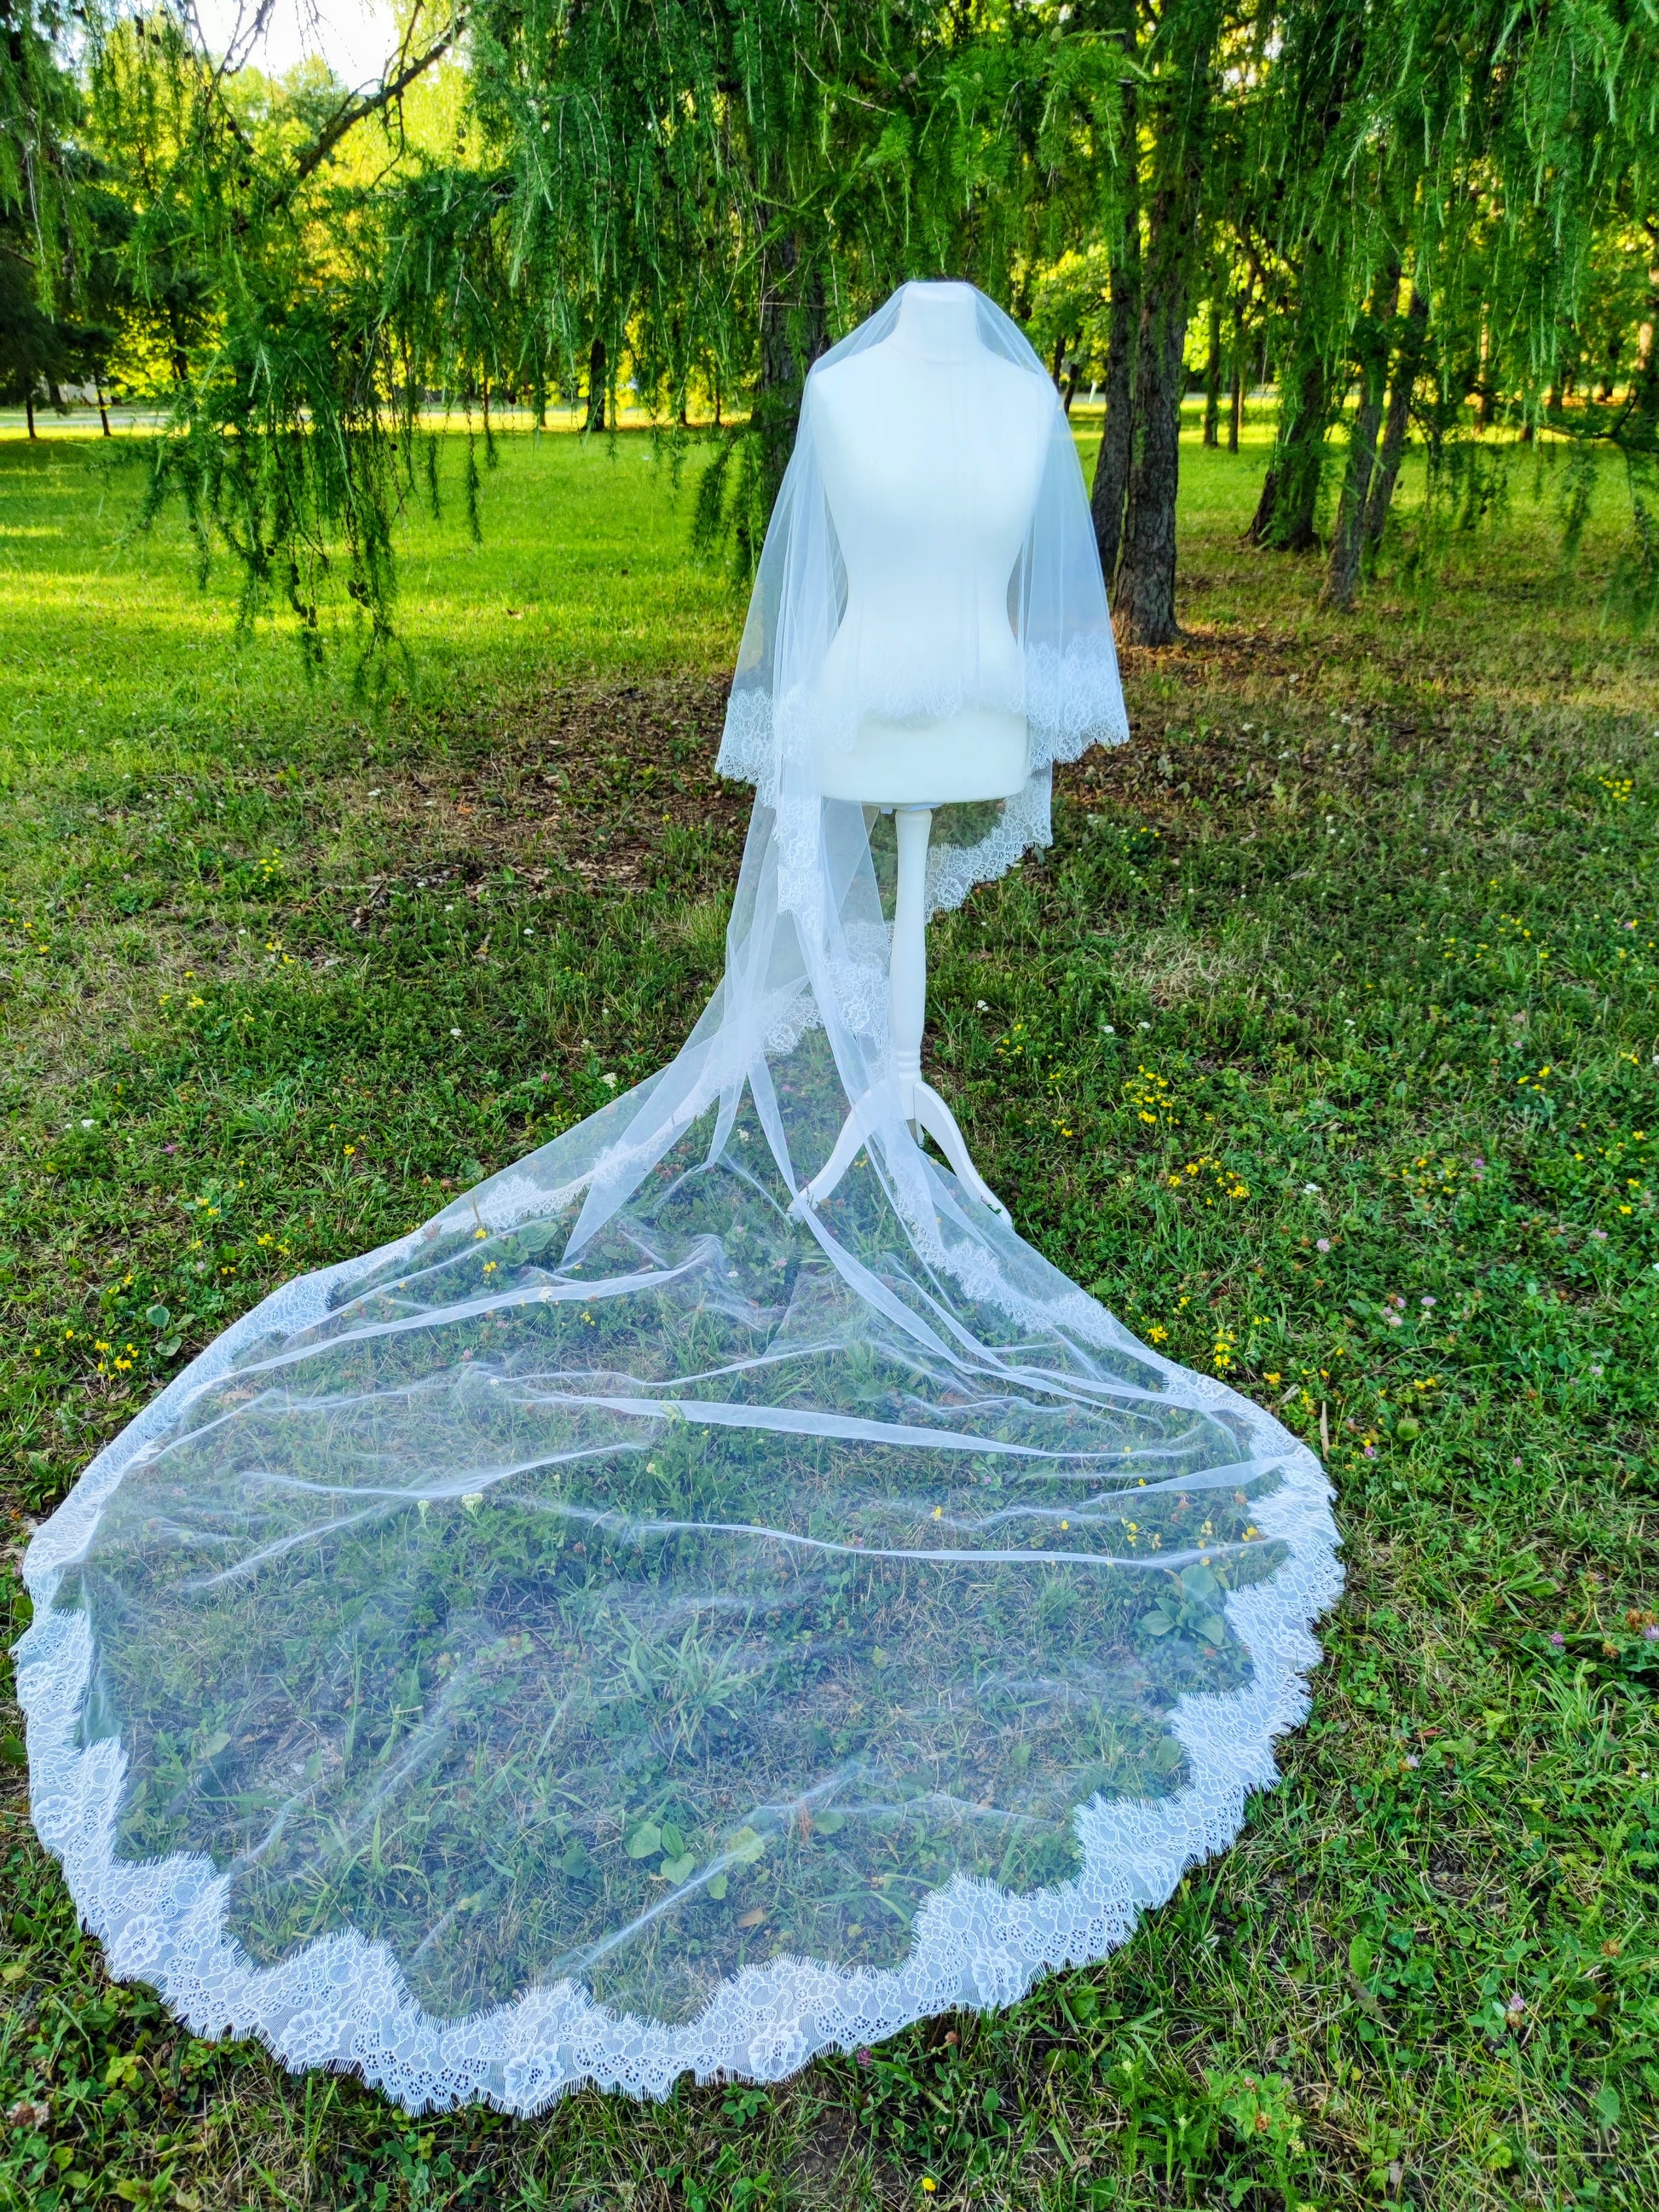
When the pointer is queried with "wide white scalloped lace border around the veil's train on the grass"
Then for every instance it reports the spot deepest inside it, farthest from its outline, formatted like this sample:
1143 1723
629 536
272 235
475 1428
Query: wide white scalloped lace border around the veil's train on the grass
342 2003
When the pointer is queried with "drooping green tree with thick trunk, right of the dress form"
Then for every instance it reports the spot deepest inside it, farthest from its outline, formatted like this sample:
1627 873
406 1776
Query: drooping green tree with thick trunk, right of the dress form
1421 207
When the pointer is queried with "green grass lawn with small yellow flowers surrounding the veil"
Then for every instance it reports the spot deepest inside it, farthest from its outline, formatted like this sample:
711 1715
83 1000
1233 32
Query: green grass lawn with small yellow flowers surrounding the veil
1361 919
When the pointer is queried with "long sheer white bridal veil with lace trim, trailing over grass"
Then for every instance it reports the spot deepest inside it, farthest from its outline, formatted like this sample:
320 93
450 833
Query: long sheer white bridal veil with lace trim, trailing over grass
640 1623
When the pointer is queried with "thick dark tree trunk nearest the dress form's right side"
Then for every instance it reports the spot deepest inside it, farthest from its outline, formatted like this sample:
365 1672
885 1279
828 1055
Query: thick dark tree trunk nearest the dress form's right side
1147 563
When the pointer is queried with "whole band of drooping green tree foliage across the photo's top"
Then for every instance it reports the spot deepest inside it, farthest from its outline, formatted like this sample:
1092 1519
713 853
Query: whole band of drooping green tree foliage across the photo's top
680 207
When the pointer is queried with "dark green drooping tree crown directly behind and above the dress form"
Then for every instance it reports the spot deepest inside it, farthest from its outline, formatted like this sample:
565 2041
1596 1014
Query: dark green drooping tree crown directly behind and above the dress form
718 191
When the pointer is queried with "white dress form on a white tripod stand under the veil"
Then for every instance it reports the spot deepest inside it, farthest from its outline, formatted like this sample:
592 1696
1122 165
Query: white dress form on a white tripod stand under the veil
932 457
